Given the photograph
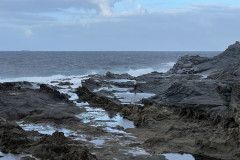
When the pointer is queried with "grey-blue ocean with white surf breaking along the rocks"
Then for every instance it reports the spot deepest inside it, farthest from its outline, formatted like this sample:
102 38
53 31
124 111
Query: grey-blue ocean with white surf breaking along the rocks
22 65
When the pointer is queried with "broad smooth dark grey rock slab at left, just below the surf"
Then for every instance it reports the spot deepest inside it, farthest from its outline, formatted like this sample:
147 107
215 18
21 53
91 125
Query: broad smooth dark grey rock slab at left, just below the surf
46 104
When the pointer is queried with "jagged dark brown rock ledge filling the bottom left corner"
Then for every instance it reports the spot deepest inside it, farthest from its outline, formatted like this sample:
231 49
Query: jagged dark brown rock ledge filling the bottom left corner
13 139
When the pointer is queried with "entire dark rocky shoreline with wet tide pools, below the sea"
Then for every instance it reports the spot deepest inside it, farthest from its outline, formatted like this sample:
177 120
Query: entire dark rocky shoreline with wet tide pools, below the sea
194 108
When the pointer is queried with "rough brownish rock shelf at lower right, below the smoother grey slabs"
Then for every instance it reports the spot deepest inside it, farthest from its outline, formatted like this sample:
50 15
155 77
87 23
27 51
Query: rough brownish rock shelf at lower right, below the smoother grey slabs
188 130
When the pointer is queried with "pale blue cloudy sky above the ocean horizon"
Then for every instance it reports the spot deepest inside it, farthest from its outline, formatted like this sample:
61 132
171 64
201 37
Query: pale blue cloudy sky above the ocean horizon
119 25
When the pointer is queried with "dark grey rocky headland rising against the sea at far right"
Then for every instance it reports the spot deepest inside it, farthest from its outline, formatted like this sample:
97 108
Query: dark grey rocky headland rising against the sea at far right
225 62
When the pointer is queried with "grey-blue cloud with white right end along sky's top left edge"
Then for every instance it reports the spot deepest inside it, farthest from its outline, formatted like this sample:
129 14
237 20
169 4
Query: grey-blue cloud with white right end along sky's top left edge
33 6
